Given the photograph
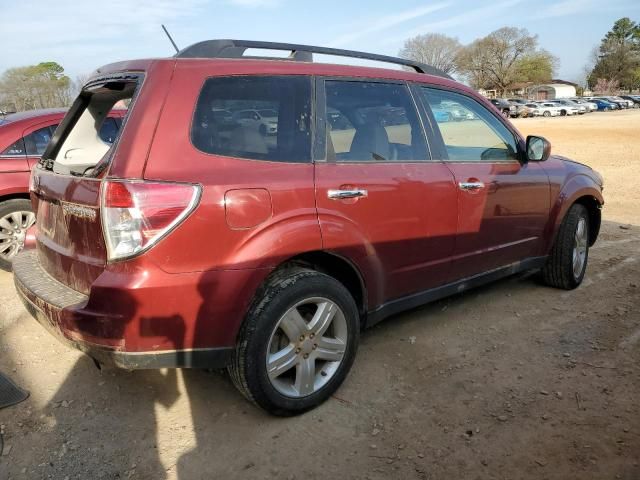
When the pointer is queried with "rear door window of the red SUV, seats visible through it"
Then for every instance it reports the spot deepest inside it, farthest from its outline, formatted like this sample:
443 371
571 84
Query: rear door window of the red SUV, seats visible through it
371 121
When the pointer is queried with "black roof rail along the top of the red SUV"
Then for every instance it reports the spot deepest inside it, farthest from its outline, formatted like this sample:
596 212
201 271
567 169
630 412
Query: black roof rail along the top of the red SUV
300 53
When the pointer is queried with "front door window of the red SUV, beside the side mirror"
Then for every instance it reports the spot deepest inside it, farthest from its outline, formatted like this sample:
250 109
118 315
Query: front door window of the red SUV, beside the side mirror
477 136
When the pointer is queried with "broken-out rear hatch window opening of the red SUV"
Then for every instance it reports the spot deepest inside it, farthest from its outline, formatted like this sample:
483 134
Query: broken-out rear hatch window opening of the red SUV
82 143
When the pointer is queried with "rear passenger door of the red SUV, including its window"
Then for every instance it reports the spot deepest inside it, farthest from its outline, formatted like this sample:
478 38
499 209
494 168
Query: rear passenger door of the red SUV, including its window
381 202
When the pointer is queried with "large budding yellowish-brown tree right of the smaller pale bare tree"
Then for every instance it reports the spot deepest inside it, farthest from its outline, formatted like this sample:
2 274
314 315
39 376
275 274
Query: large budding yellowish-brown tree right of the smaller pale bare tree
505 57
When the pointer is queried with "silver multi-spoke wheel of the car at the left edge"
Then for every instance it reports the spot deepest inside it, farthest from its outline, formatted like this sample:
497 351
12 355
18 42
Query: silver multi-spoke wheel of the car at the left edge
16 217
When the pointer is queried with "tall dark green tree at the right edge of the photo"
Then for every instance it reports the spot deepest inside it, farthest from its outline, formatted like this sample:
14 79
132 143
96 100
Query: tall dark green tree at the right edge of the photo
619 55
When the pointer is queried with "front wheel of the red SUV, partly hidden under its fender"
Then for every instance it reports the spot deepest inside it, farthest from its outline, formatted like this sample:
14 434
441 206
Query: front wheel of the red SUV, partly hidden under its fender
567 263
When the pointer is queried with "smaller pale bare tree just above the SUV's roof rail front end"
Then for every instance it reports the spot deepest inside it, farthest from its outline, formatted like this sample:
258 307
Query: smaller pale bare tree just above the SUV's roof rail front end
433 49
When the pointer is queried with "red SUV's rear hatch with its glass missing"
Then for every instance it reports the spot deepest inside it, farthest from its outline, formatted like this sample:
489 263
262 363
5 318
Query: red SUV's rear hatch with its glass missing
66 184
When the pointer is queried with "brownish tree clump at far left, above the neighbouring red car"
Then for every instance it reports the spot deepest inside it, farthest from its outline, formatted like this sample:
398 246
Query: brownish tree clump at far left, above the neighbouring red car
35 86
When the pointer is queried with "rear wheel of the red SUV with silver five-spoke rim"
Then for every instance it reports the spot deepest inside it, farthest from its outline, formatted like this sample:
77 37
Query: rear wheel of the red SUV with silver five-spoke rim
298 342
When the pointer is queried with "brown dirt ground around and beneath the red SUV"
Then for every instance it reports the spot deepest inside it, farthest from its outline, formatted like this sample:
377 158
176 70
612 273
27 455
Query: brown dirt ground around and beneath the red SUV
511 381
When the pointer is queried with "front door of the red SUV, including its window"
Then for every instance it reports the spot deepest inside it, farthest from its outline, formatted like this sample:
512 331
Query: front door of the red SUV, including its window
503 202
